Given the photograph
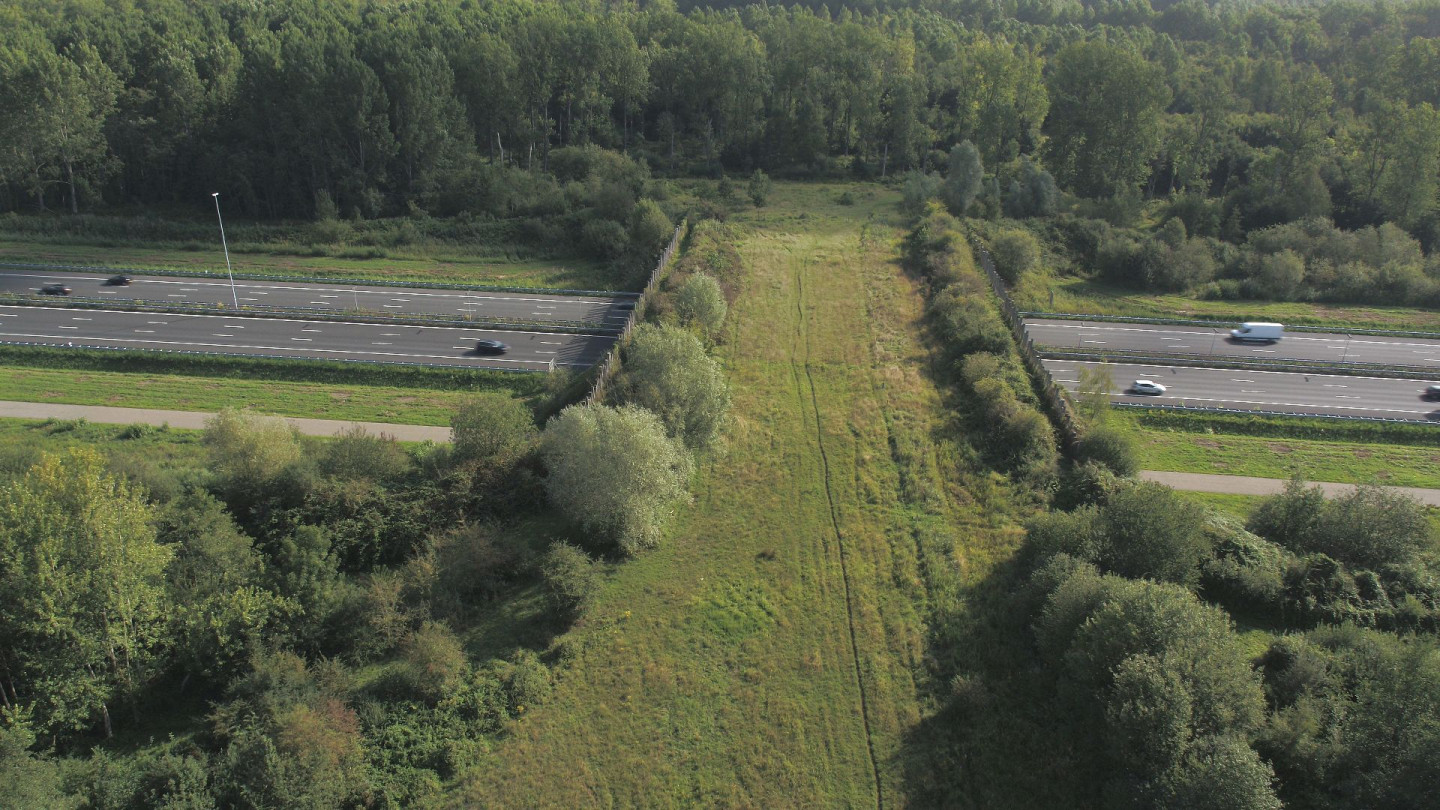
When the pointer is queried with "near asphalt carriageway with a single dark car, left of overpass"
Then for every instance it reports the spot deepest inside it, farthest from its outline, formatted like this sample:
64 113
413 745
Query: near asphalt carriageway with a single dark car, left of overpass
296 338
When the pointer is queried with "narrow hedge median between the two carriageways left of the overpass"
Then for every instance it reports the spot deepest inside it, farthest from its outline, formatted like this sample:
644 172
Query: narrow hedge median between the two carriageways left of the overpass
309 313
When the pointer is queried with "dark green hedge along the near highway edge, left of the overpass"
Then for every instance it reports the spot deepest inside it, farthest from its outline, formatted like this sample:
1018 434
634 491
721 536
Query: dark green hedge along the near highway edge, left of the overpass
279 370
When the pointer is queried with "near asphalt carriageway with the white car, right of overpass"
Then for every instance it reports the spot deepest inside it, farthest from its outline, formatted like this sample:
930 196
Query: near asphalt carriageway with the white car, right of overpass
1284 393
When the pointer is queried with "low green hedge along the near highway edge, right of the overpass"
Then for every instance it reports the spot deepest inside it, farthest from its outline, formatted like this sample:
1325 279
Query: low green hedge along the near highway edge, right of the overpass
1282 427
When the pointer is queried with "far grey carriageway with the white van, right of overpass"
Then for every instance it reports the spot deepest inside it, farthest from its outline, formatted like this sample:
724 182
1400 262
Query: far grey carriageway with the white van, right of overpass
1095 337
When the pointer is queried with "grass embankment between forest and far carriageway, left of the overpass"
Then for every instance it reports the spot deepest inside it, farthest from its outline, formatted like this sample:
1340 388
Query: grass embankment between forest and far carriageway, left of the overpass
415 263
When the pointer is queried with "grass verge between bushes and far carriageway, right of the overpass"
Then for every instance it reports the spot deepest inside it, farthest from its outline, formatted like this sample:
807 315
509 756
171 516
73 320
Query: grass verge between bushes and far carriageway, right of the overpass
1089 298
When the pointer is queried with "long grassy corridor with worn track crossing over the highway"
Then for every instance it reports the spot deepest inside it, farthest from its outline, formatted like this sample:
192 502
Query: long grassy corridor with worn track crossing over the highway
771 654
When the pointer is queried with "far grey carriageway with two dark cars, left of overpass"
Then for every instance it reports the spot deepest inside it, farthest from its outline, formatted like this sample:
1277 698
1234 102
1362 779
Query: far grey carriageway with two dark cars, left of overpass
392 301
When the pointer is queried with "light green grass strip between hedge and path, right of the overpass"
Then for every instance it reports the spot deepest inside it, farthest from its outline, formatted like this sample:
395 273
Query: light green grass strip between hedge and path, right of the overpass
1347 463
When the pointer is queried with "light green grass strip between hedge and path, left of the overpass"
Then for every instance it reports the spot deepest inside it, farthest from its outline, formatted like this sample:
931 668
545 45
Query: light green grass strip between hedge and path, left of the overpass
175 393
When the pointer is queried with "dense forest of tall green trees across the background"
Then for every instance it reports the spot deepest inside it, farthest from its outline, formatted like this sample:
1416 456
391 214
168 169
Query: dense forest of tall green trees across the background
1287 112
